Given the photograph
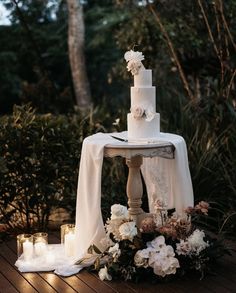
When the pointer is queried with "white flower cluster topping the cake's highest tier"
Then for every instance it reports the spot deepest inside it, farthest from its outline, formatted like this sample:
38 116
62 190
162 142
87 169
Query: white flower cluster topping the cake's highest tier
133 60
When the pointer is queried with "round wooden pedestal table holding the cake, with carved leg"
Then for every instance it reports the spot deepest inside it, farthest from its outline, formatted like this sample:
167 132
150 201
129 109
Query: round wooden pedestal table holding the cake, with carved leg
134 153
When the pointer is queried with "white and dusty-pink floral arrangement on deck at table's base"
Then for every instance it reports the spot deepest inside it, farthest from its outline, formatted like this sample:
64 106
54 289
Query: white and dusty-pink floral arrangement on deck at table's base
164 246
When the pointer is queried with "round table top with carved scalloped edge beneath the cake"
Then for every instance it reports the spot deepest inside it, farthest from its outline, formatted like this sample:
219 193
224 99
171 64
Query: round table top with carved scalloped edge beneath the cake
129 150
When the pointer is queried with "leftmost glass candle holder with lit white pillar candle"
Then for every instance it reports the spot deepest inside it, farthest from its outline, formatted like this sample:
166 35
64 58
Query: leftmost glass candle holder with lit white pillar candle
25 246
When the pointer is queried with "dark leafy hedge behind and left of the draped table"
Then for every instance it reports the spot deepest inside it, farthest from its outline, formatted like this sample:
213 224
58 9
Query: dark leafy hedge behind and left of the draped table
39 159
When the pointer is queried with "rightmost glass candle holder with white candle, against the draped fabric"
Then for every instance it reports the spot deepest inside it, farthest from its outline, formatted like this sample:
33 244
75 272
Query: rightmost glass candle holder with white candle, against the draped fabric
68 239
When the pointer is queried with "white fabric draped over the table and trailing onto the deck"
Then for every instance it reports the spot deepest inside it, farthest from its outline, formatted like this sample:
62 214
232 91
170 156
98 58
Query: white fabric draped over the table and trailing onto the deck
166 179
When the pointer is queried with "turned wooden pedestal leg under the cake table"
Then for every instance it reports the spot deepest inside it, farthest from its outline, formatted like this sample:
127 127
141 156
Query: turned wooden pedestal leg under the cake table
134 187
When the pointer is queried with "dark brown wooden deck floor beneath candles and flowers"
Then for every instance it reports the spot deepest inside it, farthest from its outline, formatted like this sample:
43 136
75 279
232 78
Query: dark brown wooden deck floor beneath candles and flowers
11 280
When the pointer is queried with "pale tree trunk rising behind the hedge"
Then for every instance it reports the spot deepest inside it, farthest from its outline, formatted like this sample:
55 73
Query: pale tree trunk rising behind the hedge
76 53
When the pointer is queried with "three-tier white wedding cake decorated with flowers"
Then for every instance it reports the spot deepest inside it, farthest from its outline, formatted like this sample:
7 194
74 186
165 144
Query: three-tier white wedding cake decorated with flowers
142 122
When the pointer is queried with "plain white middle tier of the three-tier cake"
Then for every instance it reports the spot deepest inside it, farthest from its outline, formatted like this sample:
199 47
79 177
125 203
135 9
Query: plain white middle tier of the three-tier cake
144 97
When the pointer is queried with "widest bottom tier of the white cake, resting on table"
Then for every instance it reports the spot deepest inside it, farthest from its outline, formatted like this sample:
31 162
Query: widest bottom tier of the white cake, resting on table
141 129
